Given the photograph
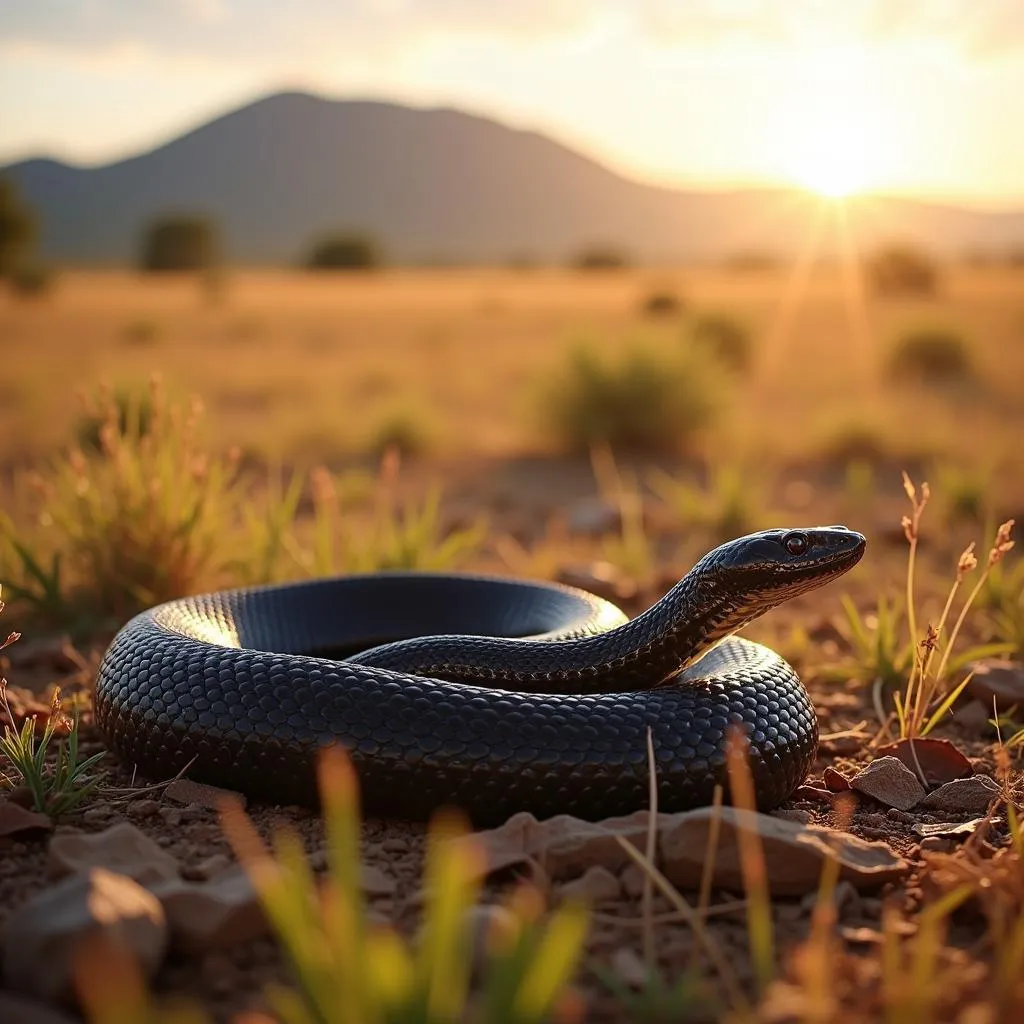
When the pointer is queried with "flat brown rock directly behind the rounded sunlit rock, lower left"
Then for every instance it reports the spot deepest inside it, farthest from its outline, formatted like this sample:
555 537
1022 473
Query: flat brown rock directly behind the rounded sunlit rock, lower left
121 848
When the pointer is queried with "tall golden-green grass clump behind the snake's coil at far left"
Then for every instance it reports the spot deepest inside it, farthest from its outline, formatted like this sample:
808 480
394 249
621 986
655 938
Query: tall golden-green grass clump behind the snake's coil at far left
141 518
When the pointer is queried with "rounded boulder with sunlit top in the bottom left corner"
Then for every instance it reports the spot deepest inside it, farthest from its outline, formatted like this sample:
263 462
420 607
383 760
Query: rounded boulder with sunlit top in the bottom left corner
39 942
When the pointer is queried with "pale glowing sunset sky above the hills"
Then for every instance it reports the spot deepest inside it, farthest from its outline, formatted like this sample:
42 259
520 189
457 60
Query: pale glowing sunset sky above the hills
911 97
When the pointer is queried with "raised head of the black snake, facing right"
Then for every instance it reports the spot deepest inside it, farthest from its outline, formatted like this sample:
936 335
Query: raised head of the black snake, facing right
777 565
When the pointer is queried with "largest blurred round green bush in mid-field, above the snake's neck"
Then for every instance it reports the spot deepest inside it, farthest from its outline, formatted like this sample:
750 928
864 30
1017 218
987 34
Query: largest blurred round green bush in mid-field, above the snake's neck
643 401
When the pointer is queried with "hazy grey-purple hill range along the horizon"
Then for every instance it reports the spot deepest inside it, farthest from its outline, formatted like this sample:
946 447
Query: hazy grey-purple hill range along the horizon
432 185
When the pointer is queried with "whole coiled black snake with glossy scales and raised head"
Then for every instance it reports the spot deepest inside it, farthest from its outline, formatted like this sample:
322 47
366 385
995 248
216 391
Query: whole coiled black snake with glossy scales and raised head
494 726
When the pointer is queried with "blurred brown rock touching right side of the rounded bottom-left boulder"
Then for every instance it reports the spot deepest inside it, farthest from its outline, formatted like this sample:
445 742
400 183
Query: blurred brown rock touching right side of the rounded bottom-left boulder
216 915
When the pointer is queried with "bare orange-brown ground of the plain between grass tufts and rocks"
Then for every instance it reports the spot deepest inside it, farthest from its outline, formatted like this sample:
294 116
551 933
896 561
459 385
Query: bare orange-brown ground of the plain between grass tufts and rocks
303 369
